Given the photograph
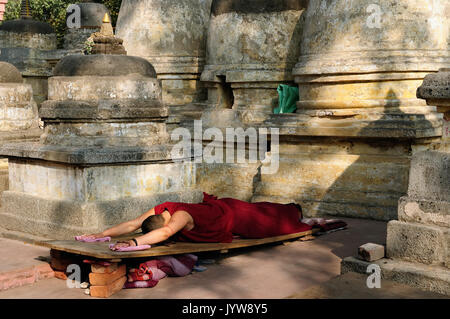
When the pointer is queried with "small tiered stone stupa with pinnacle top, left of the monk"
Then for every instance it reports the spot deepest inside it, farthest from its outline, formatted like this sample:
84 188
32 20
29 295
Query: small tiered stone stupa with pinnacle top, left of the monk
105 156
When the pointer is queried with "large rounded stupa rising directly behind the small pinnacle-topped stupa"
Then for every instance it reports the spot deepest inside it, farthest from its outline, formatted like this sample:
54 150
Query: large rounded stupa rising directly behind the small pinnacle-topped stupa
171 34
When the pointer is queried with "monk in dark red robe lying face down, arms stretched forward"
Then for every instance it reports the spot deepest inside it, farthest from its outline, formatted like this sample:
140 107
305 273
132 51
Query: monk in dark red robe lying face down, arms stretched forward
212 221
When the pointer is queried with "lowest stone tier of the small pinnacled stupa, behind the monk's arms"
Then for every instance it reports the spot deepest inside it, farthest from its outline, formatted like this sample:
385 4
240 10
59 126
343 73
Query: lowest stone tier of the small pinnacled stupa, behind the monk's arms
58 219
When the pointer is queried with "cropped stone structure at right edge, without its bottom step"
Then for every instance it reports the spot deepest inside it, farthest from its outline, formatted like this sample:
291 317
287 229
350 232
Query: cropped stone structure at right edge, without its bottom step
422 233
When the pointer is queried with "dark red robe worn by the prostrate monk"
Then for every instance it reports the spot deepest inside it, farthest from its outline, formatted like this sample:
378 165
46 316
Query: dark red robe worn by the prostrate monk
217 220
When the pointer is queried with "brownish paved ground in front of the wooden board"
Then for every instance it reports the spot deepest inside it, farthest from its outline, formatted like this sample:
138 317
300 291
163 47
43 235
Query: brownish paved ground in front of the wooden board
300 269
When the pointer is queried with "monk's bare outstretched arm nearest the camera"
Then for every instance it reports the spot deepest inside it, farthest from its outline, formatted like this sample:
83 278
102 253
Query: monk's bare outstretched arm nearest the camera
178 221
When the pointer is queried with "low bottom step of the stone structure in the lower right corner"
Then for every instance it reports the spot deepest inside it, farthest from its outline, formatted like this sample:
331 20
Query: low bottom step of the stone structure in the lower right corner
431 278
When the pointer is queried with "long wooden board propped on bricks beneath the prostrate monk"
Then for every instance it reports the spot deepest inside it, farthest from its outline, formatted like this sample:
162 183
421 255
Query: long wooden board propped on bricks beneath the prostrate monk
102 251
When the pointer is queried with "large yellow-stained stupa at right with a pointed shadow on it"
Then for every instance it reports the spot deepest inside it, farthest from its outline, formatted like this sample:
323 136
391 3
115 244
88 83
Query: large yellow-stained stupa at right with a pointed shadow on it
347 150
